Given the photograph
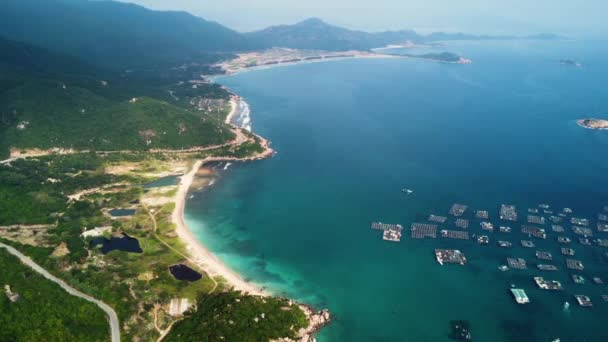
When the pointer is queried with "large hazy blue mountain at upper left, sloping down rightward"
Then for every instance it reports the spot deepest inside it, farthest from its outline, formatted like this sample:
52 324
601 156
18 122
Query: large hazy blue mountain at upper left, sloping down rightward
117 35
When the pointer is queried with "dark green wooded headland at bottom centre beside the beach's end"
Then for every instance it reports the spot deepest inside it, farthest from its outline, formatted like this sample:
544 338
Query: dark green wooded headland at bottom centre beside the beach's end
232 316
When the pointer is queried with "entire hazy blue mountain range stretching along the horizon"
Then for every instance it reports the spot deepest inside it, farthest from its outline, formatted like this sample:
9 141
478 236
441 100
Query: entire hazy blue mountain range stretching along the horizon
121 36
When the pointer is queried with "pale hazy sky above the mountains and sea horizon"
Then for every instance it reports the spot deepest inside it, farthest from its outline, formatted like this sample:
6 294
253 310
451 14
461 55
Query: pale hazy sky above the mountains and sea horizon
474 16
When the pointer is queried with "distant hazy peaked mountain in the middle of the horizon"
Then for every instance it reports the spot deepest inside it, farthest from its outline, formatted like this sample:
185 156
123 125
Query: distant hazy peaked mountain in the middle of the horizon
315 34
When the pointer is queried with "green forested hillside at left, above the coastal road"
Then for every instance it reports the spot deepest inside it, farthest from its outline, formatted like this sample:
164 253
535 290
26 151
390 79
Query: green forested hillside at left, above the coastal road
48 102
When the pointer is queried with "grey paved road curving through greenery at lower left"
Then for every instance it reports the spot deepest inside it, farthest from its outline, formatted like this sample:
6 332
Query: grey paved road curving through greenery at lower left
113 318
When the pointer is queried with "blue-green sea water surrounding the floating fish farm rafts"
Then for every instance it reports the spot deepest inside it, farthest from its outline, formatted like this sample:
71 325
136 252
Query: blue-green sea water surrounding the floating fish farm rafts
351 134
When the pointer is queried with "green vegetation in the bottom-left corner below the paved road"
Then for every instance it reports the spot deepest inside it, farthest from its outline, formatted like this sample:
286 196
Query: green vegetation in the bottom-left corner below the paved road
44 311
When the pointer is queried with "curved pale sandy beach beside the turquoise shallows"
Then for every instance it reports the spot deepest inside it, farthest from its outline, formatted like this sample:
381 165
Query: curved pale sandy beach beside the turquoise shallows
201 255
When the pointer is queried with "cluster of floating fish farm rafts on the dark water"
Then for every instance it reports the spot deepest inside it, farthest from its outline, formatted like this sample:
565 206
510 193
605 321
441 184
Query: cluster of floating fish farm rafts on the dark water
552 235
